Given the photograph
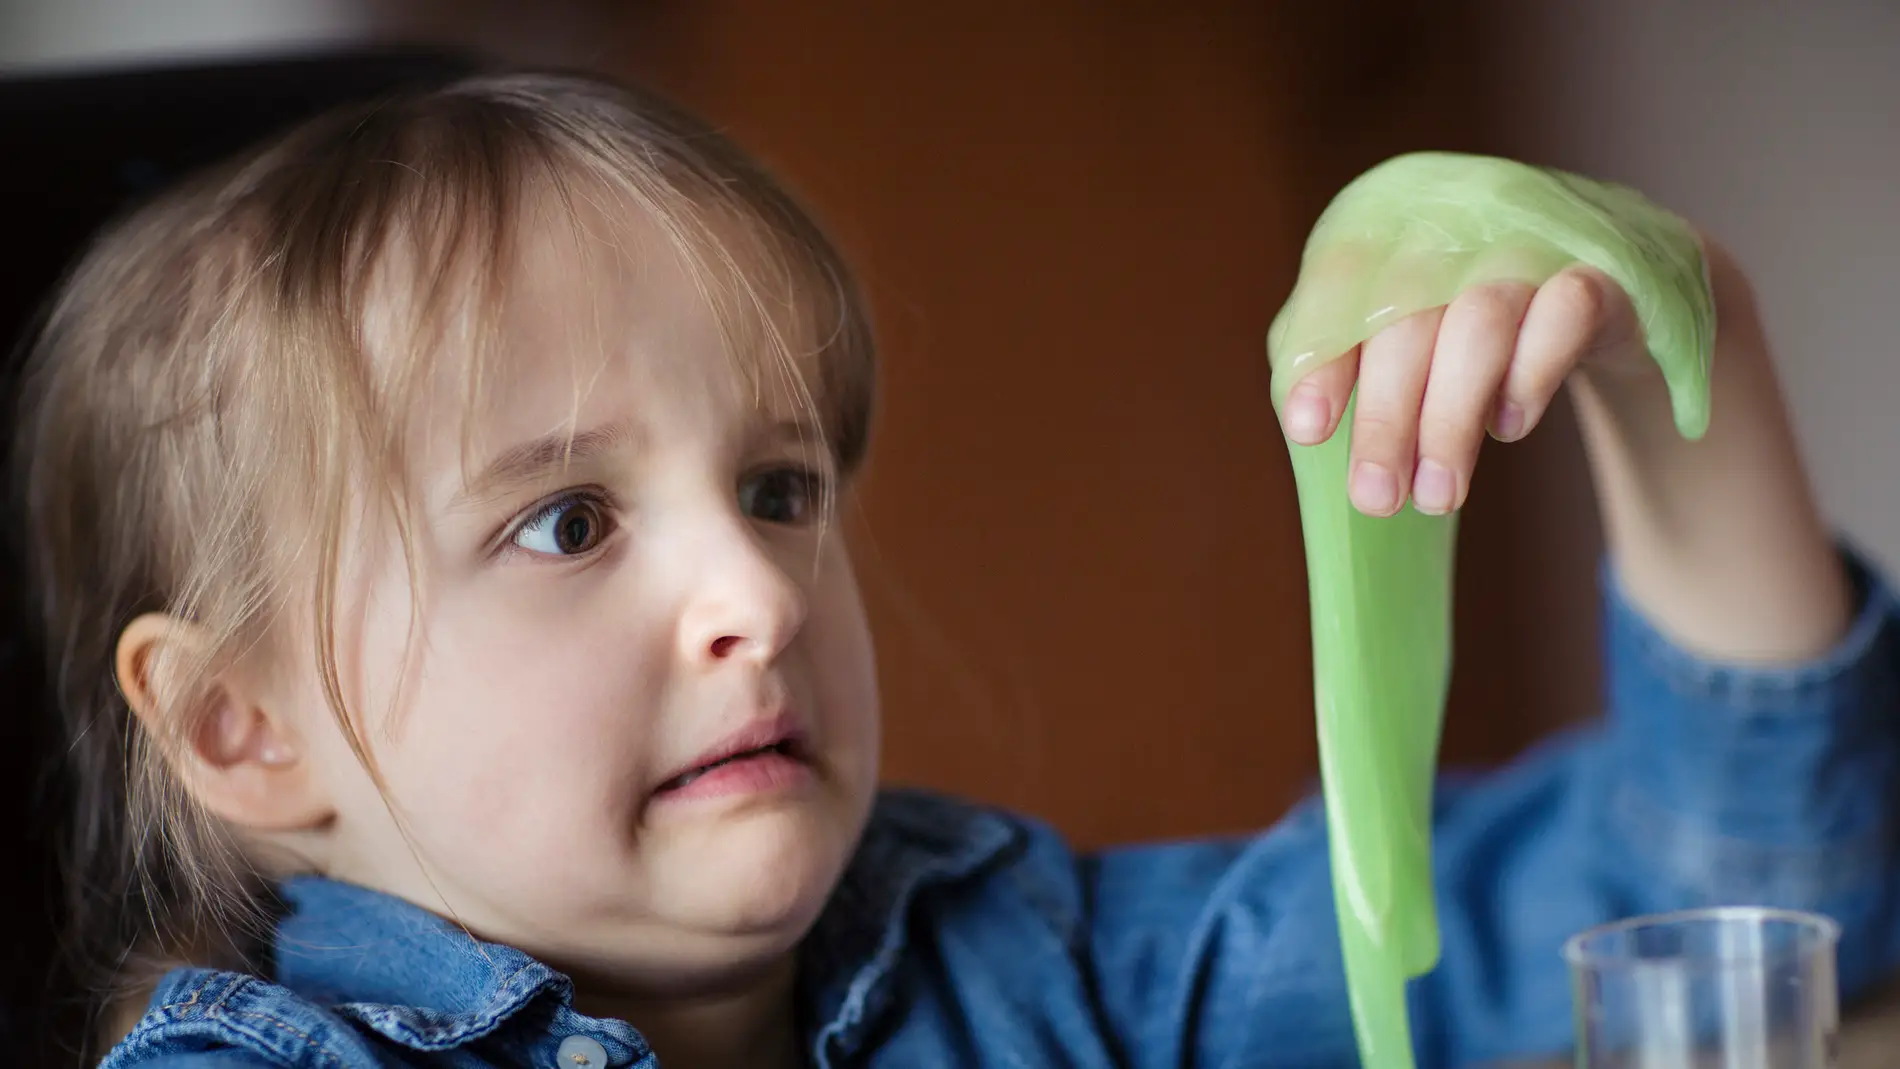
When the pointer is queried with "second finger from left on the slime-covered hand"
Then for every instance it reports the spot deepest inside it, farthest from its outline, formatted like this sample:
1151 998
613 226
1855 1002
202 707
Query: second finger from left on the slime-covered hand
1392 386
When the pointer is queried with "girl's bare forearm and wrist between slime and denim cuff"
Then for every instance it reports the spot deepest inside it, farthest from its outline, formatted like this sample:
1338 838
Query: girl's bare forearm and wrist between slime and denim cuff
1717 542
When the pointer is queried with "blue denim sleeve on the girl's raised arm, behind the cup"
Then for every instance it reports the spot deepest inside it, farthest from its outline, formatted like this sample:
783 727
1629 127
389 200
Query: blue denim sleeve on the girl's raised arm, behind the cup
1705 785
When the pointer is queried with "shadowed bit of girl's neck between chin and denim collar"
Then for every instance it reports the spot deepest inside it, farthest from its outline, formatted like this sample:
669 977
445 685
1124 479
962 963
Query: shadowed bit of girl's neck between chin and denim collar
753 1026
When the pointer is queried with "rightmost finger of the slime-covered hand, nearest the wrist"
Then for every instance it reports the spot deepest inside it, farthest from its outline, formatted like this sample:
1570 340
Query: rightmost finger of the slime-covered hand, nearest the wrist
1578 314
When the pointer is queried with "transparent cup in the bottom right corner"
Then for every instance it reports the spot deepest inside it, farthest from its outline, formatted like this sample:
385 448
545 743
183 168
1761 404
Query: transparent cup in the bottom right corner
1732 988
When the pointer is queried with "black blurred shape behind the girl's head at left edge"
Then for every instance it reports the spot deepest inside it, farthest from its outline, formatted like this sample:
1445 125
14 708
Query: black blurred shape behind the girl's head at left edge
79 151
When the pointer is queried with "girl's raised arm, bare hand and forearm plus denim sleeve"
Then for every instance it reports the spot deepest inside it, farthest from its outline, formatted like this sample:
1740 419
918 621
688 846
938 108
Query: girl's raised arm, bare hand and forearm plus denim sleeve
1755 705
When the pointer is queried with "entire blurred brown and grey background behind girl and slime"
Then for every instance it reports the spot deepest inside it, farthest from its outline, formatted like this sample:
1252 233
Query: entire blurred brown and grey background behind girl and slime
1078 534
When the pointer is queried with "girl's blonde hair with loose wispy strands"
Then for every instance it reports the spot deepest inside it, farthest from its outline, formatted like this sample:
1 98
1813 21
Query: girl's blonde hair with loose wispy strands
210 352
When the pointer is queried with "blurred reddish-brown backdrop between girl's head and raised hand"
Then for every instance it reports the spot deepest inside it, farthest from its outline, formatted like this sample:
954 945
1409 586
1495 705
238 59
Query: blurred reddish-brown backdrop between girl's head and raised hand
1080 536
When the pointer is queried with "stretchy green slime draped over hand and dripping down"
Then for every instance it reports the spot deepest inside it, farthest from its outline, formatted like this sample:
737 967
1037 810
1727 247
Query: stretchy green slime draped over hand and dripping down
1403 238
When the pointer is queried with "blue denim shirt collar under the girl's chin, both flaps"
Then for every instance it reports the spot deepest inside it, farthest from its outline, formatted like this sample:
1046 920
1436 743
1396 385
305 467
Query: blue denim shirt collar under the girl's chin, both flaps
428 985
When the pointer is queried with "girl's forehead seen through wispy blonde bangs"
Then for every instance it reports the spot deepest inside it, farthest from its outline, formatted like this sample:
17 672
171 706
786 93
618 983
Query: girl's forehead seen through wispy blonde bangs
592 318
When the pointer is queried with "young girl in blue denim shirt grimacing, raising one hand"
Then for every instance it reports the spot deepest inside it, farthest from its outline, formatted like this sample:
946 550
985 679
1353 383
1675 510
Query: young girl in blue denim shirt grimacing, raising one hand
432 523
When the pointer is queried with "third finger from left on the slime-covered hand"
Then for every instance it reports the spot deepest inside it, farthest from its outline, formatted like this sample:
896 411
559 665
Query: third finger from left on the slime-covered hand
1468 369
